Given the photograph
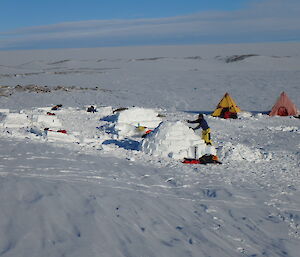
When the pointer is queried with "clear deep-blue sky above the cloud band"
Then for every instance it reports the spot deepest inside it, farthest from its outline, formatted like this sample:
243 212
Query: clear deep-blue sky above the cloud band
20 13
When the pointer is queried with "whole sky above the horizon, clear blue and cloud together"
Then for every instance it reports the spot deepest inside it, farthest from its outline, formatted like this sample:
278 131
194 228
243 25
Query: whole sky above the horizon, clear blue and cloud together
38 24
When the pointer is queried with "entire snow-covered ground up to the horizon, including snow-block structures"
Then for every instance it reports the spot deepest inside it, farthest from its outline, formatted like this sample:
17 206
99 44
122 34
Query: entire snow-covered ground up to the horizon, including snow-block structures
111 183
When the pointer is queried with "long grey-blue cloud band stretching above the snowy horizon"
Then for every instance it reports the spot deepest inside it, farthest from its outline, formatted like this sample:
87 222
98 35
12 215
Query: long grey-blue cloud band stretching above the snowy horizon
269 20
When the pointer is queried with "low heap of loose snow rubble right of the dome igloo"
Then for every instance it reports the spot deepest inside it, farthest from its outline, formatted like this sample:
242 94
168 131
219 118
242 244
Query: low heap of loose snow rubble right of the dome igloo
239 152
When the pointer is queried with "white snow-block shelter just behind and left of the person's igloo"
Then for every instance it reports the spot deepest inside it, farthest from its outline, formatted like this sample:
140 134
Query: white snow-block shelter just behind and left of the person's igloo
130 122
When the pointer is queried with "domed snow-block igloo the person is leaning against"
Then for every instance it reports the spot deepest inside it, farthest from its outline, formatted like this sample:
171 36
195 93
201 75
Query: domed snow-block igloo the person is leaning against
175 140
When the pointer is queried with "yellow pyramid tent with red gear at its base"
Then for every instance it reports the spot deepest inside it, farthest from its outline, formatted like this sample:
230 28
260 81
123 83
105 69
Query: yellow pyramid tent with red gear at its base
226 108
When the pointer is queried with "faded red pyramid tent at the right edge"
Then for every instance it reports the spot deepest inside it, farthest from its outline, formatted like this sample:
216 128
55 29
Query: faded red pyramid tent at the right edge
284 106
